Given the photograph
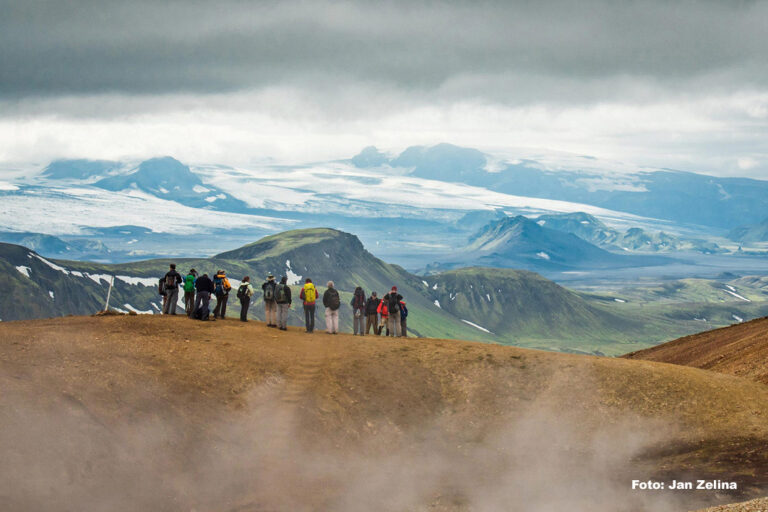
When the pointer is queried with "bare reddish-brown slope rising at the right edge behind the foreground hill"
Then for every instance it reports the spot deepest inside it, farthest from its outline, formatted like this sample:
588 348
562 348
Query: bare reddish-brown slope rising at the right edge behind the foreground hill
740 349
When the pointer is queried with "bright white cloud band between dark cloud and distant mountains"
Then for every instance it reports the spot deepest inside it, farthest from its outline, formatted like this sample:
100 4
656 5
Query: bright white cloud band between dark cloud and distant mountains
709 134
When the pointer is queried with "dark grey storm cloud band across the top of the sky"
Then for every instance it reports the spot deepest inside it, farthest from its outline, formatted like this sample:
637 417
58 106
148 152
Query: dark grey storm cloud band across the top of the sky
508 51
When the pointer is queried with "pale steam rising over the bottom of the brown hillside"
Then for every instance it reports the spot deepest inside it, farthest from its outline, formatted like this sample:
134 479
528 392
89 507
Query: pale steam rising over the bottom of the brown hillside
271 455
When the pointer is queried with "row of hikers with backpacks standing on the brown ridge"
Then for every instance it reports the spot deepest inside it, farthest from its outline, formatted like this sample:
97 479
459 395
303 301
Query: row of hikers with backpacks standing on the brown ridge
379 315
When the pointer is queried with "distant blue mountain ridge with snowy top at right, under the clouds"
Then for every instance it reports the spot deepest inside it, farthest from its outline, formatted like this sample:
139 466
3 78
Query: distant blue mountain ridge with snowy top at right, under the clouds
662 193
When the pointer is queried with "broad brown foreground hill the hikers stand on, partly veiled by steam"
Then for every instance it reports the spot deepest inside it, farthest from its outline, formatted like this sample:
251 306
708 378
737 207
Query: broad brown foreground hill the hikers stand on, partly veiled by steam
165 413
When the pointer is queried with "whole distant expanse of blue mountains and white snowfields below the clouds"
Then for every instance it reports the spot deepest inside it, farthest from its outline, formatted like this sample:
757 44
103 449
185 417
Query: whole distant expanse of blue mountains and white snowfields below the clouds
413 208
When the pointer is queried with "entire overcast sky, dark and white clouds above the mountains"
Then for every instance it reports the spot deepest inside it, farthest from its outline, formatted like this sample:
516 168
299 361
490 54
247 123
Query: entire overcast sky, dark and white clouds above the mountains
678 84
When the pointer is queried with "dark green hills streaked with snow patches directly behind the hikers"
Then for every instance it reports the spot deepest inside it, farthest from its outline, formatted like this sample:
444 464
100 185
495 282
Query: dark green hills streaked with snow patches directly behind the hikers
479 303
